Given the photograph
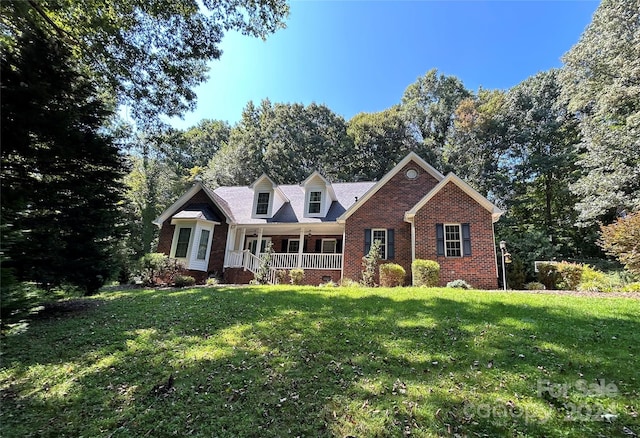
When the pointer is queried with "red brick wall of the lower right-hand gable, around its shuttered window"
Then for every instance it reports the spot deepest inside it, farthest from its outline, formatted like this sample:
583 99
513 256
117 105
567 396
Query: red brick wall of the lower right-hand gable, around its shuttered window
451 205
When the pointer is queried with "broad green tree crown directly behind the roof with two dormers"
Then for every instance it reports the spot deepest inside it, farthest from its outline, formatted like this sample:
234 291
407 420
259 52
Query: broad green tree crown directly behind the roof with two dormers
286 141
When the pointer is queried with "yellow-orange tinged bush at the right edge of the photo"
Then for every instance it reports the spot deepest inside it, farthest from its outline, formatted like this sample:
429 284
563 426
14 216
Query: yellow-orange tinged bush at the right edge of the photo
622 240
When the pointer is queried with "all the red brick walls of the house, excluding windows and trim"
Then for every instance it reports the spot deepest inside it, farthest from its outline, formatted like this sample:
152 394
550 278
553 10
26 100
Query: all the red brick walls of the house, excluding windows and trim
385 209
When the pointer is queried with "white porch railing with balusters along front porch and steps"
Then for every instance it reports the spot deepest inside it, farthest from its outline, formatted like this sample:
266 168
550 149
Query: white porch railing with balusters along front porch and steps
245 259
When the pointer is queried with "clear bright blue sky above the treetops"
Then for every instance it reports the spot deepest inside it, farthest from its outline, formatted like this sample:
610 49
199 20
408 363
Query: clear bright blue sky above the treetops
360 56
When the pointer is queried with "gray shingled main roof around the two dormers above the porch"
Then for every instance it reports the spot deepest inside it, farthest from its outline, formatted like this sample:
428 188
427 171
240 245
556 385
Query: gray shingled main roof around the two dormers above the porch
240 202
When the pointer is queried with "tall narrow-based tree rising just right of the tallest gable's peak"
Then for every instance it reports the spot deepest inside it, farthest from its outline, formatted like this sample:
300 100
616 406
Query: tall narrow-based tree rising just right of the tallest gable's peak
428 105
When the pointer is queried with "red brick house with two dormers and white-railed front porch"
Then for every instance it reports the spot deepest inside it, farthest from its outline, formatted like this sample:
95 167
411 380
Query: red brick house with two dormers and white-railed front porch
326 228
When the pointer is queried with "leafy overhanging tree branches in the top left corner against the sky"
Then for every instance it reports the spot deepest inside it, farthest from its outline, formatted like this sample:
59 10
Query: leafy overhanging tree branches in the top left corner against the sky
150 54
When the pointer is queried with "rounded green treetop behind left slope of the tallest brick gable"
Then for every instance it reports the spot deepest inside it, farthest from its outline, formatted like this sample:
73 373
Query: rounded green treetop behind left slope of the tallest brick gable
380 141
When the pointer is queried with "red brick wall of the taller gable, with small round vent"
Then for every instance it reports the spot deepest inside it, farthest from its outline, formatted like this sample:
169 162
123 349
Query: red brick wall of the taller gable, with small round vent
385 209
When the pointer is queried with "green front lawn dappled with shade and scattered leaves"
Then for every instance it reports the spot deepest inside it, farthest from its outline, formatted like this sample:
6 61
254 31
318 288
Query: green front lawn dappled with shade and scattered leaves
303 361
